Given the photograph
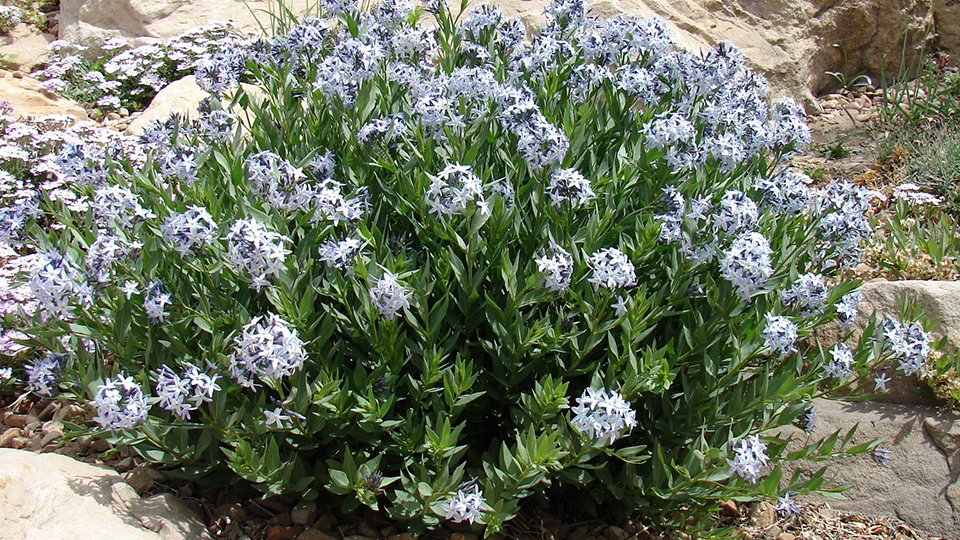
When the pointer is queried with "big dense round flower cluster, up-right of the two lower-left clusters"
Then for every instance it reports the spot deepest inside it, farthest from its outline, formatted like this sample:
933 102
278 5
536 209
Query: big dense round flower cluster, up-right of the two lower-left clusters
266 348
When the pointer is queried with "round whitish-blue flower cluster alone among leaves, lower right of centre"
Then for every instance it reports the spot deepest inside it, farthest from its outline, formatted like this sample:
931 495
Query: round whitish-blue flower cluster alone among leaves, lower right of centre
603 415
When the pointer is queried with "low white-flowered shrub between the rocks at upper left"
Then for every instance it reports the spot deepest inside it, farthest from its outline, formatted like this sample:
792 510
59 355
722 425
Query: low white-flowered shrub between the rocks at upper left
130 77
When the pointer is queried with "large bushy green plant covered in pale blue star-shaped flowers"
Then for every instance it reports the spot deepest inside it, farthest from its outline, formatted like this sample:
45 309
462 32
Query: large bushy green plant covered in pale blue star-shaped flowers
436 265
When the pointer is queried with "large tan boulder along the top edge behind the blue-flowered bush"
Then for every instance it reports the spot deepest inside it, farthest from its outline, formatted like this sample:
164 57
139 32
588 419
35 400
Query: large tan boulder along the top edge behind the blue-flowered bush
793 42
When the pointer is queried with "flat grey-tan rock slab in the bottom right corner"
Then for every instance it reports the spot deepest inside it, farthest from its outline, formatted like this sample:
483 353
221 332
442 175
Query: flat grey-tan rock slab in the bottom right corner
918 486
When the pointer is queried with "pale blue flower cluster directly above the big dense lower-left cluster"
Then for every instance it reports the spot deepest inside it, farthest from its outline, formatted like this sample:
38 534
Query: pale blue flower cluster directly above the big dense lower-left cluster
257 250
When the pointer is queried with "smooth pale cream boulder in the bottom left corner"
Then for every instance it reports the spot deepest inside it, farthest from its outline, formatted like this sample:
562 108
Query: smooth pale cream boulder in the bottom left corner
54 497
